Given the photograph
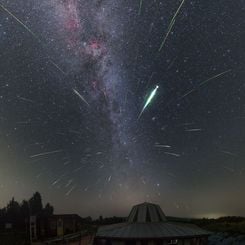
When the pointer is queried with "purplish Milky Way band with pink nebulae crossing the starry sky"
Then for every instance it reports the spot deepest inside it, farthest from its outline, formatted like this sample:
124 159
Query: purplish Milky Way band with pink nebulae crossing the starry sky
91 34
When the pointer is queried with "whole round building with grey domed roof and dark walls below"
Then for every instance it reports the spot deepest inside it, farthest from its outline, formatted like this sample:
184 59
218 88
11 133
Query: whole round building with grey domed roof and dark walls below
147 225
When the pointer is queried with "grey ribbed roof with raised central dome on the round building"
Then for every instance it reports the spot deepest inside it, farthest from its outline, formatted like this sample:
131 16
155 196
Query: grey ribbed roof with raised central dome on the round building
147 221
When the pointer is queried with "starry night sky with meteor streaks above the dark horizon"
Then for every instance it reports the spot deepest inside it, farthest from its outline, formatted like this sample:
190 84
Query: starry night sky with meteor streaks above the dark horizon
74 77
